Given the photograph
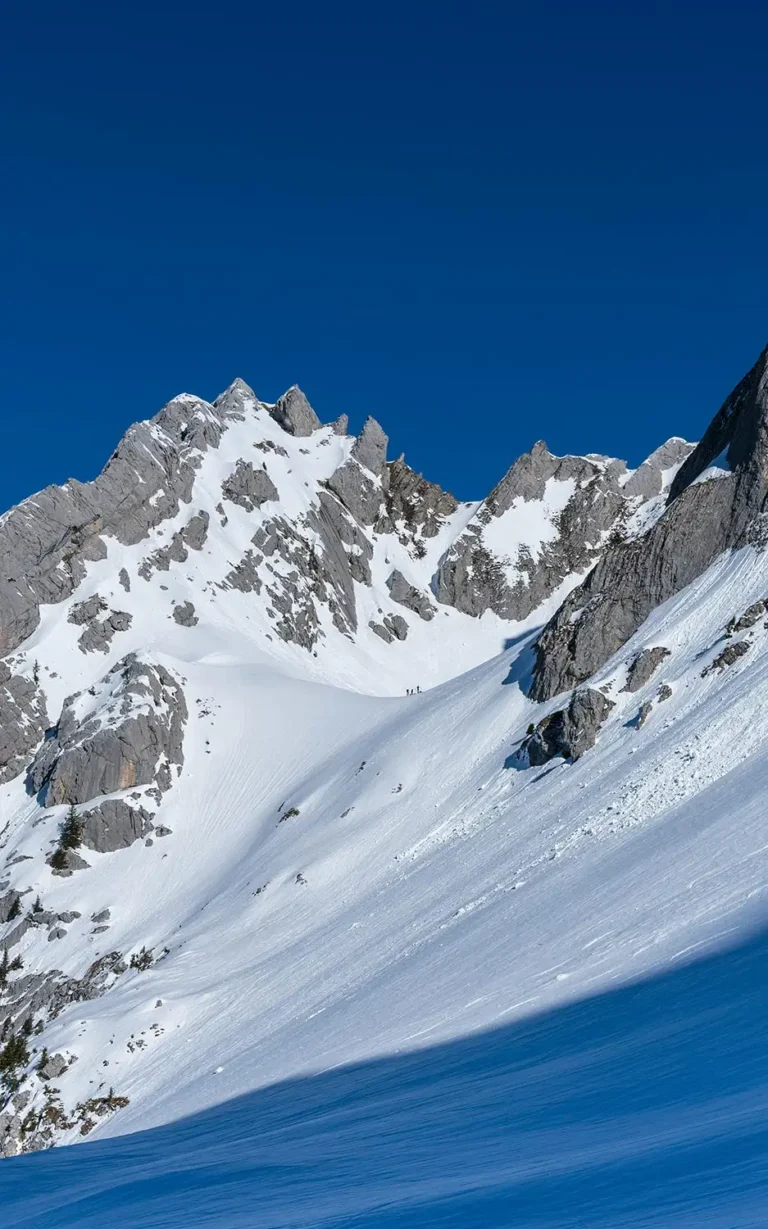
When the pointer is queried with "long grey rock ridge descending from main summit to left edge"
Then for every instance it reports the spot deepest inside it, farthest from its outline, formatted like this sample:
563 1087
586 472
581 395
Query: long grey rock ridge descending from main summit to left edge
47 541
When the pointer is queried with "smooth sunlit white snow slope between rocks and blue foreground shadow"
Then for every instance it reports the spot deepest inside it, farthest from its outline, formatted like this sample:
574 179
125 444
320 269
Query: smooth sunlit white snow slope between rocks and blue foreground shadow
346 876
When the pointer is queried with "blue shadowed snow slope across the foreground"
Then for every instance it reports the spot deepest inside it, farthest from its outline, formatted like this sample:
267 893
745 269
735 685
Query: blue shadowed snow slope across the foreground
641 1108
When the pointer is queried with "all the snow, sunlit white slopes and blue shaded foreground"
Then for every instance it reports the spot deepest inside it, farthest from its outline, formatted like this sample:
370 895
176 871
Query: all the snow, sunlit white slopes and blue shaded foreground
402 979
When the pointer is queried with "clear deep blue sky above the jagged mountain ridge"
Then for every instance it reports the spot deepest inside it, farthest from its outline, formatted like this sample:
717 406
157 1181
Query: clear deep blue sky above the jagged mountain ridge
484 223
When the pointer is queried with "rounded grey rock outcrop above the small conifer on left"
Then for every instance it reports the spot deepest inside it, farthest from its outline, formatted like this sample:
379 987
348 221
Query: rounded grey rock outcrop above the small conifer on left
132 738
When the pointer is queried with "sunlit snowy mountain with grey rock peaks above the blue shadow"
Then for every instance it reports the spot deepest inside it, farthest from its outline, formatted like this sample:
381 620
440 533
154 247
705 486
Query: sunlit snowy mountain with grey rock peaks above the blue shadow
237 849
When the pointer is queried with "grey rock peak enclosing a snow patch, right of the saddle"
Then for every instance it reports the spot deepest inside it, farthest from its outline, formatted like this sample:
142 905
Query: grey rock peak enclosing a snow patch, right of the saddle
474 579
